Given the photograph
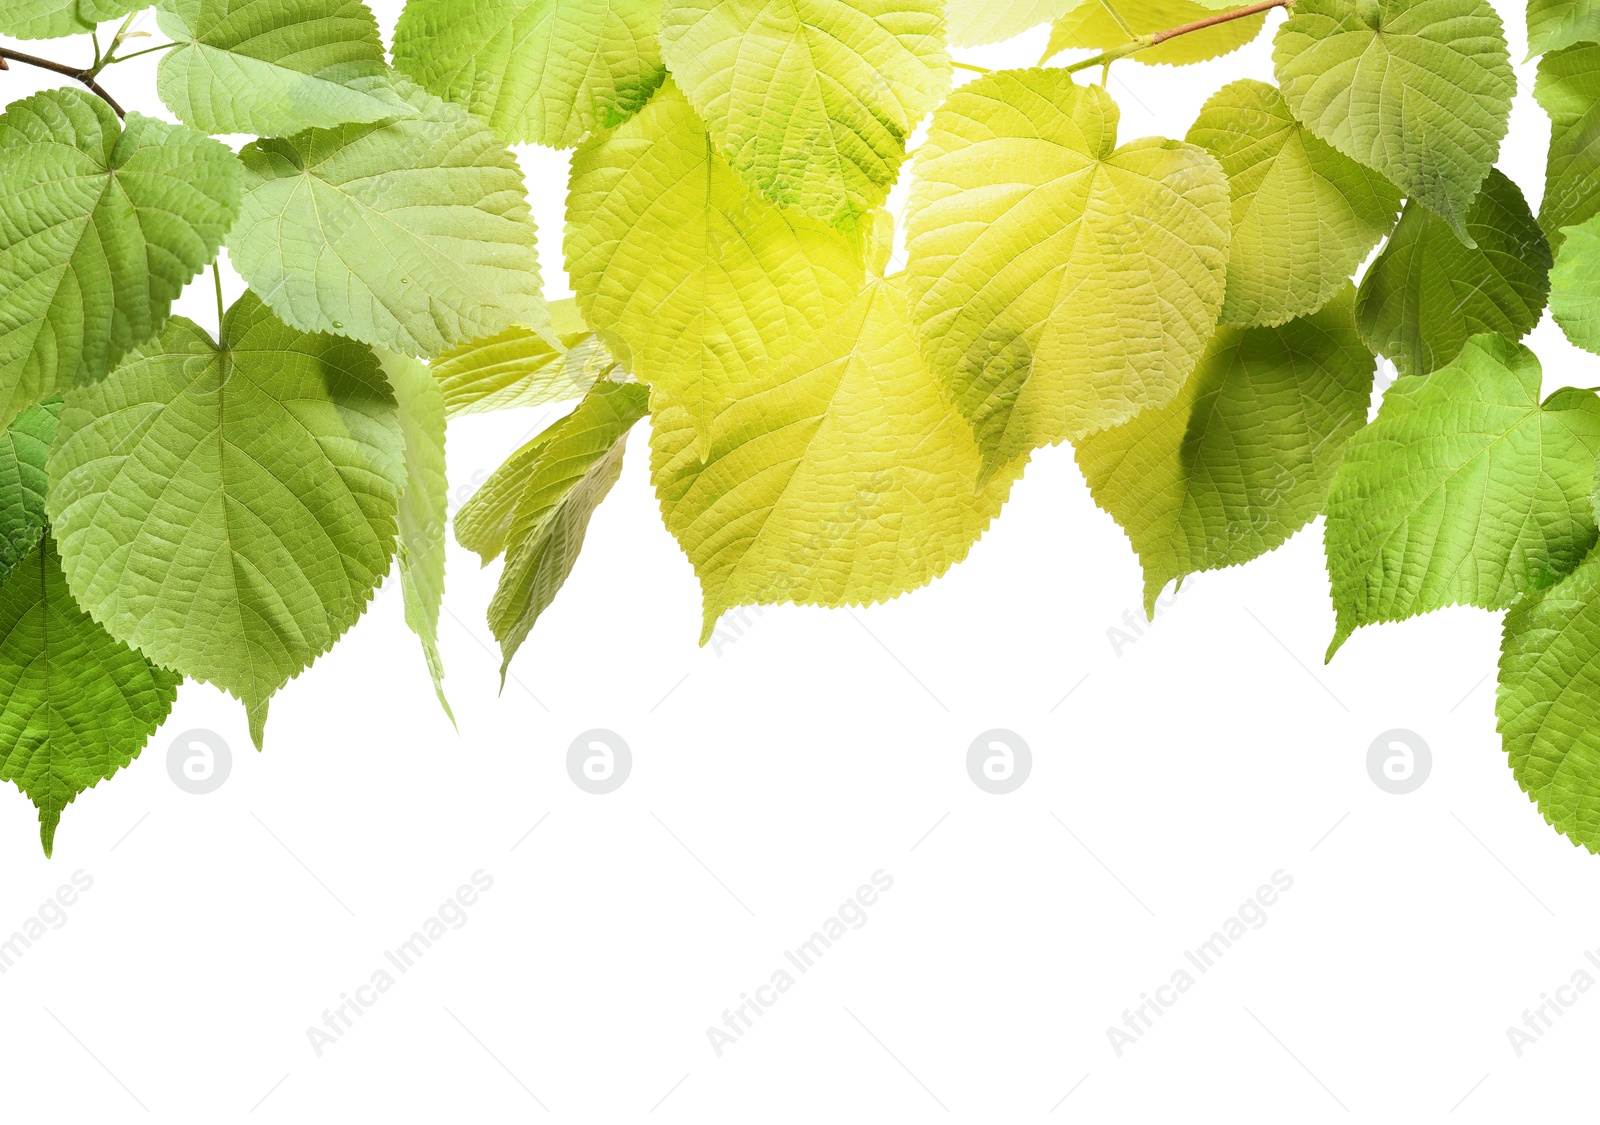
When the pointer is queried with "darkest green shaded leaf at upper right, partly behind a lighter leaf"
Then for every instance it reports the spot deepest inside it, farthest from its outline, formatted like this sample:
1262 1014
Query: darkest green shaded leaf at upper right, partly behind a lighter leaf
1426 294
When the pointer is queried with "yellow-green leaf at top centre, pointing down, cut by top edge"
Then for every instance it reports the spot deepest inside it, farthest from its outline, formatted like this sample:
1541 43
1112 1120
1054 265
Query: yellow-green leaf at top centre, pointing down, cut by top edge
810 100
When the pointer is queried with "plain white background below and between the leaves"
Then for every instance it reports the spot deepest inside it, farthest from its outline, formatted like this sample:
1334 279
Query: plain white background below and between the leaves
774 774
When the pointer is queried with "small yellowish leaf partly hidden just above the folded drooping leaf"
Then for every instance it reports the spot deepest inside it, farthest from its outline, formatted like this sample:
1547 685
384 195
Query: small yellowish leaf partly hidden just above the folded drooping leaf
522 369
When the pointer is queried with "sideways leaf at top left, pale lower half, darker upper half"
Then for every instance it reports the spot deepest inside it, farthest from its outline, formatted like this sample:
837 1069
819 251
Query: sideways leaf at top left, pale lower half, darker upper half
244 66
